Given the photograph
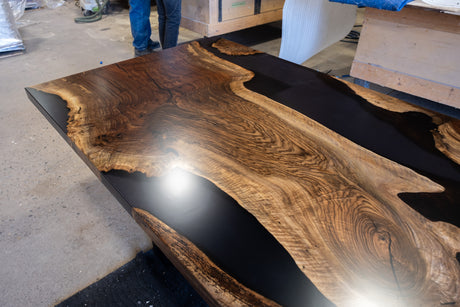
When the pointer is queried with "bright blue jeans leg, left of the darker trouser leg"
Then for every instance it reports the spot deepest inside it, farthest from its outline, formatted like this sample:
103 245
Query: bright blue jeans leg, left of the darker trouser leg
139 14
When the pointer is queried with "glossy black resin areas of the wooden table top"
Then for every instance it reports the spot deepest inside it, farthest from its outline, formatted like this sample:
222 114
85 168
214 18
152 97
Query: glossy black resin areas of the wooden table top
232 237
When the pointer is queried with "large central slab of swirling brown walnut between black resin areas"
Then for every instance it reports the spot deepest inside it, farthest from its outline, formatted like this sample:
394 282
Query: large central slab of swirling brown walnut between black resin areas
332 204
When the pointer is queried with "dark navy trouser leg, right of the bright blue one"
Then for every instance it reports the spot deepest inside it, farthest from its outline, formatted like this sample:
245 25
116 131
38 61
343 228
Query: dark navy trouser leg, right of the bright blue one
169 15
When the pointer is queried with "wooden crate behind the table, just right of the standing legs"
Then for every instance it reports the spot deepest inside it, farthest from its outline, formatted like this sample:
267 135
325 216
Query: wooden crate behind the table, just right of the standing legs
215 17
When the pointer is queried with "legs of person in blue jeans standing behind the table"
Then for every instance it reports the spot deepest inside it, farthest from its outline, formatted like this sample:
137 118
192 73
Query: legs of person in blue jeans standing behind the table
169 15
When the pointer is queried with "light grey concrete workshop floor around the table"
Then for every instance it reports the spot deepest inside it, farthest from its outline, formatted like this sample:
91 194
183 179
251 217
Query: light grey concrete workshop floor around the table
60 229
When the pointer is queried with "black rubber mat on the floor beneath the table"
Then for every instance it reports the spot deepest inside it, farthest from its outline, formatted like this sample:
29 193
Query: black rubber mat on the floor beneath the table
148 280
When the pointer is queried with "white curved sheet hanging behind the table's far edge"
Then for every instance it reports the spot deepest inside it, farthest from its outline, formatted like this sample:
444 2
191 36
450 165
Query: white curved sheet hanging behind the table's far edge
309 26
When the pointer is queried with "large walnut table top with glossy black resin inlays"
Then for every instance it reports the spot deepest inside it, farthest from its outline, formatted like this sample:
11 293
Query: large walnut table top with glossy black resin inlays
302 190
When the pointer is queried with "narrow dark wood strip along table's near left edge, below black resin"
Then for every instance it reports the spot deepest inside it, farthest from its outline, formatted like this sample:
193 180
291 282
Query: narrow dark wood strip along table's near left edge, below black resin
220 289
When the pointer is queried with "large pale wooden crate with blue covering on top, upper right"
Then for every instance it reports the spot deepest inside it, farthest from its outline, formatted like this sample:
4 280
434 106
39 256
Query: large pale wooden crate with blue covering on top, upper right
416 51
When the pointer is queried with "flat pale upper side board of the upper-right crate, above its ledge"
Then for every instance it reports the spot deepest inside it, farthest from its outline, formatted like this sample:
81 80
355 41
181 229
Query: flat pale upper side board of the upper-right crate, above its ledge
415 50
